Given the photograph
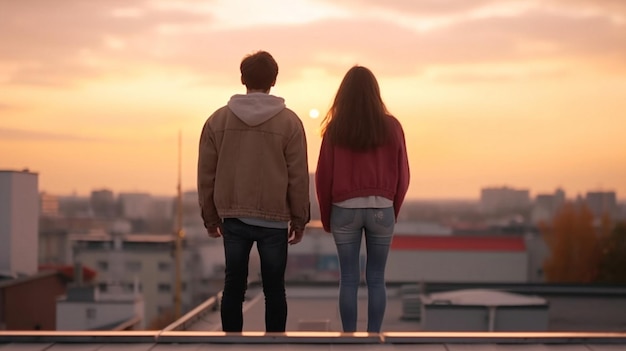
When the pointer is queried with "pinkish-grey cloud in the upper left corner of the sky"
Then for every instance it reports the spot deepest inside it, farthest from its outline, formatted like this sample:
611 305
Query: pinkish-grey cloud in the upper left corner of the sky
55 46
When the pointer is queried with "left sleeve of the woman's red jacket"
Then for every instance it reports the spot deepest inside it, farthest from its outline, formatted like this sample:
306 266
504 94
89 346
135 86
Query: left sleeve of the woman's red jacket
323 182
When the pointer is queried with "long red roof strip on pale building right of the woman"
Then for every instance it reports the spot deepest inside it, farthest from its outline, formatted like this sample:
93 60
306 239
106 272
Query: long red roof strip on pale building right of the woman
458 243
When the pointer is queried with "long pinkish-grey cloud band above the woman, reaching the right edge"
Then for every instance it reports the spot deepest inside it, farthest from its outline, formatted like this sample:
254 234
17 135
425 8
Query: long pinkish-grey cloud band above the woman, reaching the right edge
397 50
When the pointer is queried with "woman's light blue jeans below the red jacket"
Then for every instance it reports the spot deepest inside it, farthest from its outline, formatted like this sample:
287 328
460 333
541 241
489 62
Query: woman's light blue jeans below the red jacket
348 226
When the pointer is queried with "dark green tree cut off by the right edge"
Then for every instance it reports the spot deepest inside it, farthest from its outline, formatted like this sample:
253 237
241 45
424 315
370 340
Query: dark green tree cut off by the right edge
613 259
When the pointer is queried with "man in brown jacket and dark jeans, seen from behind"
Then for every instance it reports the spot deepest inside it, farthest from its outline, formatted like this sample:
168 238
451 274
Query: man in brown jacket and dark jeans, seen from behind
253 186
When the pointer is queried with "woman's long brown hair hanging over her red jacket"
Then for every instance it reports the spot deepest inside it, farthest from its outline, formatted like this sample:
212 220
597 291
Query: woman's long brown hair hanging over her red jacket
357 118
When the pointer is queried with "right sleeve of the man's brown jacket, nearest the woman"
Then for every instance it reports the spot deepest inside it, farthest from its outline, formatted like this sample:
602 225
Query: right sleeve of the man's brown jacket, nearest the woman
298 179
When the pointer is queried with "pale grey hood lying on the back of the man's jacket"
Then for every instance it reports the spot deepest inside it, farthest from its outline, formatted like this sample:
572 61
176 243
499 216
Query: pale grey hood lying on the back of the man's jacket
255 108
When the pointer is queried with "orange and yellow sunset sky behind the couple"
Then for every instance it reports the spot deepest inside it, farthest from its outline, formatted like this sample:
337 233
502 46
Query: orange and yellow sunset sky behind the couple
526 94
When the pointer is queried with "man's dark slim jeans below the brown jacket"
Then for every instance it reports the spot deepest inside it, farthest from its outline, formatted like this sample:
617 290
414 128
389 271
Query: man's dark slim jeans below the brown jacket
272 246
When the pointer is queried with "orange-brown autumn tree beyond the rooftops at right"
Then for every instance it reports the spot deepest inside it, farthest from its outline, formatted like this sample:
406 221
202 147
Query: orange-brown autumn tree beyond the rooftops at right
574 245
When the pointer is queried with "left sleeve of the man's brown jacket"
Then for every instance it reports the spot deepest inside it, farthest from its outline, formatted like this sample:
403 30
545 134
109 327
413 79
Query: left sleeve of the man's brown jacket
207 165
